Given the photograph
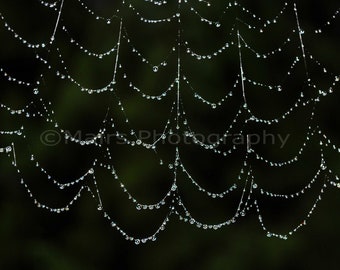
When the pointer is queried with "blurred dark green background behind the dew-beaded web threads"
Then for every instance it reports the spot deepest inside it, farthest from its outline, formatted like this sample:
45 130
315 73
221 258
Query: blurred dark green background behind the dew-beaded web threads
31 238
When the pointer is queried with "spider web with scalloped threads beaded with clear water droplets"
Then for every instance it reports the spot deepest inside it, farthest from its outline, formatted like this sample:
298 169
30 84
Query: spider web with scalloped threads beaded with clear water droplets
193 69
